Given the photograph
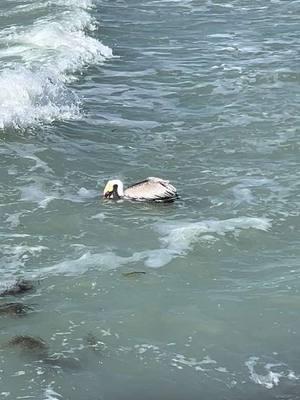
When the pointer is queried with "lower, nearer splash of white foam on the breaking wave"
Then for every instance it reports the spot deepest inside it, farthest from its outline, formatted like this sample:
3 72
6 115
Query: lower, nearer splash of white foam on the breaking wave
28 98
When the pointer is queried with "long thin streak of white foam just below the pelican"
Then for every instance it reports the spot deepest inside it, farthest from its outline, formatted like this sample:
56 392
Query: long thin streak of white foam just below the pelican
177 240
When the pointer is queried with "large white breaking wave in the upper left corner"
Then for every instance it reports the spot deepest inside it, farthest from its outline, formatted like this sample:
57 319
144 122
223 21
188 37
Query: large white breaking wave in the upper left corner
40 60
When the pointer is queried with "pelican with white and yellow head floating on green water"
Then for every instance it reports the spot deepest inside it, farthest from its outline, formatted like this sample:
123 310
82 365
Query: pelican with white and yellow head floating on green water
150 189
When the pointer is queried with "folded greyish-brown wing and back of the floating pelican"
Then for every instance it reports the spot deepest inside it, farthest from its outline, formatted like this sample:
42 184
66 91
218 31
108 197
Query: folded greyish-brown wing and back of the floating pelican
151 189
